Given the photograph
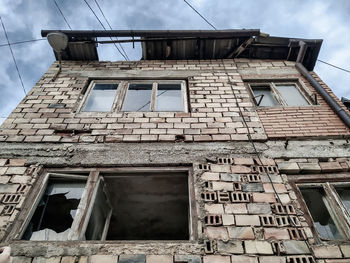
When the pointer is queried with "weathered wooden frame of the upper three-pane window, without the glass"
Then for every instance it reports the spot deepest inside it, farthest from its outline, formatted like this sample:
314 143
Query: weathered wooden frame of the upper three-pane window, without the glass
122 90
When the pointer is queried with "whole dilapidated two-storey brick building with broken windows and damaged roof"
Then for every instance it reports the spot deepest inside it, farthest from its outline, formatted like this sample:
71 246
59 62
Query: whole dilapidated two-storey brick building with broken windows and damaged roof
216 147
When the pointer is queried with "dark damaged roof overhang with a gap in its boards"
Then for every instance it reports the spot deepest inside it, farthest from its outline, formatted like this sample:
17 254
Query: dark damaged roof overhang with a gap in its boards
194 44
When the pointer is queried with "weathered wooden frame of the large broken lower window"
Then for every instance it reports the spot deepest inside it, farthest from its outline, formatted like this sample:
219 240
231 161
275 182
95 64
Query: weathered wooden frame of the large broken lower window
82 217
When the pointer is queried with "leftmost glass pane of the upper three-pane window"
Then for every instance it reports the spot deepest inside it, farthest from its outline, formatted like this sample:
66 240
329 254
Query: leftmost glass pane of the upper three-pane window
101 97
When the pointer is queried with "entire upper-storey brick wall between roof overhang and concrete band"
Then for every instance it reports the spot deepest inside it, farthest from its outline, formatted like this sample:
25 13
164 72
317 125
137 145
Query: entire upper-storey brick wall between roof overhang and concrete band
214 113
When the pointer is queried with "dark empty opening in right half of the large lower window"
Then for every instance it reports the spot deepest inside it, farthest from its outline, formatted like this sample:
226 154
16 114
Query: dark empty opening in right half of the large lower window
148 207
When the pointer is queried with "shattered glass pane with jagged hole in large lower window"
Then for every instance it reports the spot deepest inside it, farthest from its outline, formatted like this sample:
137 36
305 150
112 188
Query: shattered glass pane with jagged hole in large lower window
55 212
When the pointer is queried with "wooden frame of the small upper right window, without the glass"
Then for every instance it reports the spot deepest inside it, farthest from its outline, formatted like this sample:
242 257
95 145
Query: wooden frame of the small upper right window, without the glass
277 96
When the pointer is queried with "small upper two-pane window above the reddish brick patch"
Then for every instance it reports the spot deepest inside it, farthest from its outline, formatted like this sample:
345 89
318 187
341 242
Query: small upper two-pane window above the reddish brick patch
278 94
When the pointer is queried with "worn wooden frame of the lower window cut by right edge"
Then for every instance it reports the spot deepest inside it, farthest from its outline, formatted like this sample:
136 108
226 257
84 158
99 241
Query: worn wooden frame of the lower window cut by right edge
339 213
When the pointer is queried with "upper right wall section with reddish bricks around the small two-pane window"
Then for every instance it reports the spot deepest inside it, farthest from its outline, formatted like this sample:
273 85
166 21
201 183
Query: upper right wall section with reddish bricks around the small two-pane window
308 121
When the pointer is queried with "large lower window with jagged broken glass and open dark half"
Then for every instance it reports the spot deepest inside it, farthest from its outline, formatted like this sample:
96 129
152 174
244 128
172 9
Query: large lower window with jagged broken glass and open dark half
111 205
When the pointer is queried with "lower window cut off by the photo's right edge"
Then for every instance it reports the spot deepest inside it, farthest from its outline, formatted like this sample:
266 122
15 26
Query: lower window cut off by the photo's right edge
329 207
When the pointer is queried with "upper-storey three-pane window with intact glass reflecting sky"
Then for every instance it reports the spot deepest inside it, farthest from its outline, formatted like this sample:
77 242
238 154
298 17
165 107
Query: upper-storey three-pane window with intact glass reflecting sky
135 96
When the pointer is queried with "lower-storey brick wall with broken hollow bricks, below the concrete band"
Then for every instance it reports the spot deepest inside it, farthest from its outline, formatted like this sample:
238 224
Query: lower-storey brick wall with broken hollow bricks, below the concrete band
240 218
